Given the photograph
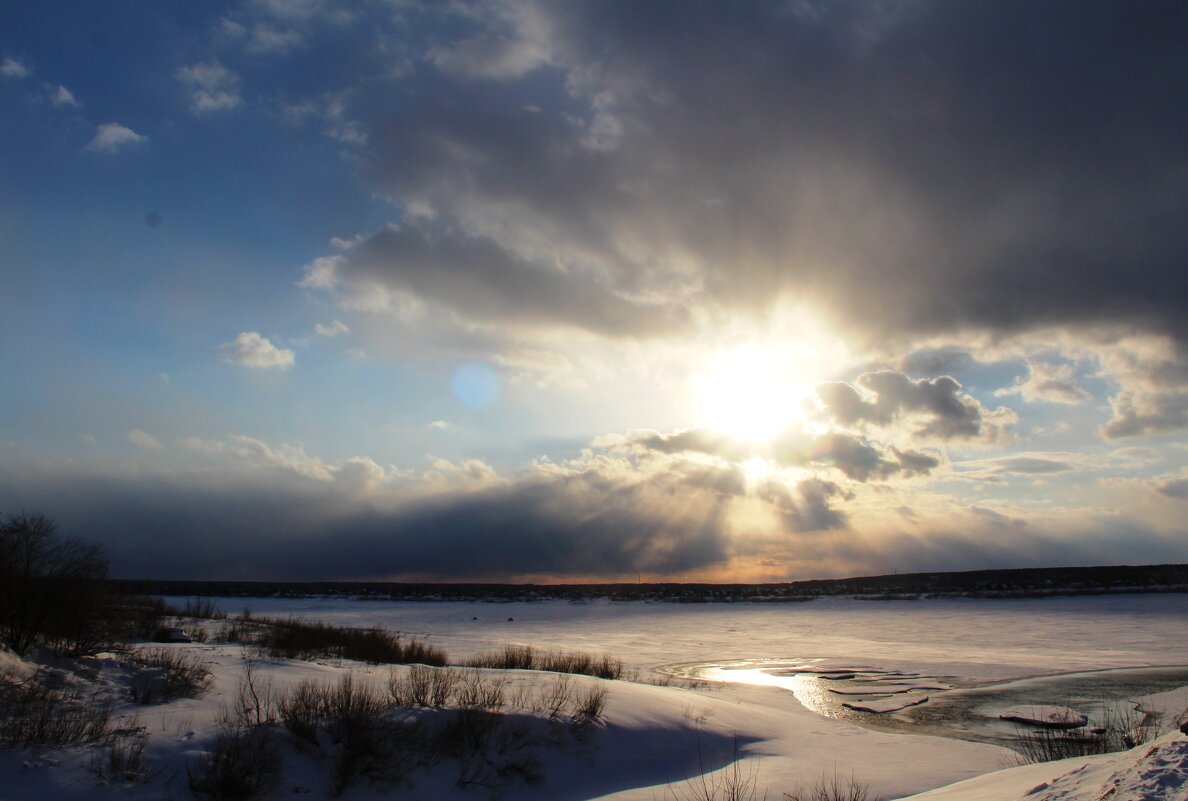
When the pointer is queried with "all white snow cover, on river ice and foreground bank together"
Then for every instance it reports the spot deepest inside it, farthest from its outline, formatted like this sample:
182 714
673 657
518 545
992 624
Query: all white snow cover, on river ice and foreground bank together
652 737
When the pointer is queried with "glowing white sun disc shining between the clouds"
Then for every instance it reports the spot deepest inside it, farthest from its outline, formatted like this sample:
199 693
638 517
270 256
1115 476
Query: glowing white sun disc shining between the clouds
753 393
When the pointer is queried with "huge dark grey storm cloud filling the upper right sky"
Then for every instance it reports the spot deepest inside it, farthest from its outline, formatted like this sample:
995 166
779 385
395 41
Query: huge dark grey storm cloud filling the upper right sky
919 167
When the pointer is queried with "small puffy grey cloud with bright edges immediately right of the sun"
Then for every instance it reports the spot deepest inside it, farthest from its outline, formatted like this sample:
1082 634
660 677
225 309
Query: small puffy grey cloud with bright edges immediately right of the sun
938 406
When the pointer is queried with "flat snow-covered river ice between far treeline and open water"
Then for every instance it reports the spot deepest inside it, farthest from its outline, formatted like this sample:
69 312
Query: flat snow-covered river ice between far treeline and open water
974 640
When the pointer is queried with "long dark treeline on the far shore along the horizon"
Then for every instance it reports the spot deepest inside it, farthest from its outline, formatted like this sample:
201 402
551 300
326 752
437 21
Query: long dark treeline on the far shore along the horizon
976 584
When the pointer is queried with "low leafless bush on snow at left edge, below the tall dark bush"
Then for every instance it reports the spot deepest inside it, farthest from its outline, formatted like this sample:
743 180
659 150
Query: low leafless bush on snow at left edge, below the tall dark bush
46 710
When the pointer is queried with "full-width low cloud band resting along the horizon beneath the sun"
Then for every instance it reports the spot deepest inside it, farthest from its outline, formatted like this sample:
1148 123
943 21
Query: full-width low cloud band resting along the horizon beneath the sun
258 510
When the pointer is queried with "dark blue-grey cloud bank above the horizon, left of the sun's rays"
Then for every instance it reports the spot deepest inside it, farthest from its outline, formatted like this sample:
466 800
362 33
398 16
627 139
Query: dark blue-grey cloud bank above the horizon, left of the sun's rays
585 524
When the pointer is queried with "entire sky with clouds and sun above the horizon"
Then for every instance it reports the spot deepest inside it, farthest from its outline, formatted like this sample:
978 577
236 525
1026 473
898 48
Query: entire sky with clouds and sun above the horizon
616 291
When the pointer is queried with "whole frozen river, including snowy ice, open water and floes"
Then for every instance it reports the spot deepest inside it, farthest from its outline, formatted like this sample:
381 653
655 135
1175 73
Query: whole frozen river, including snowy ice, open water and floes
956 663
